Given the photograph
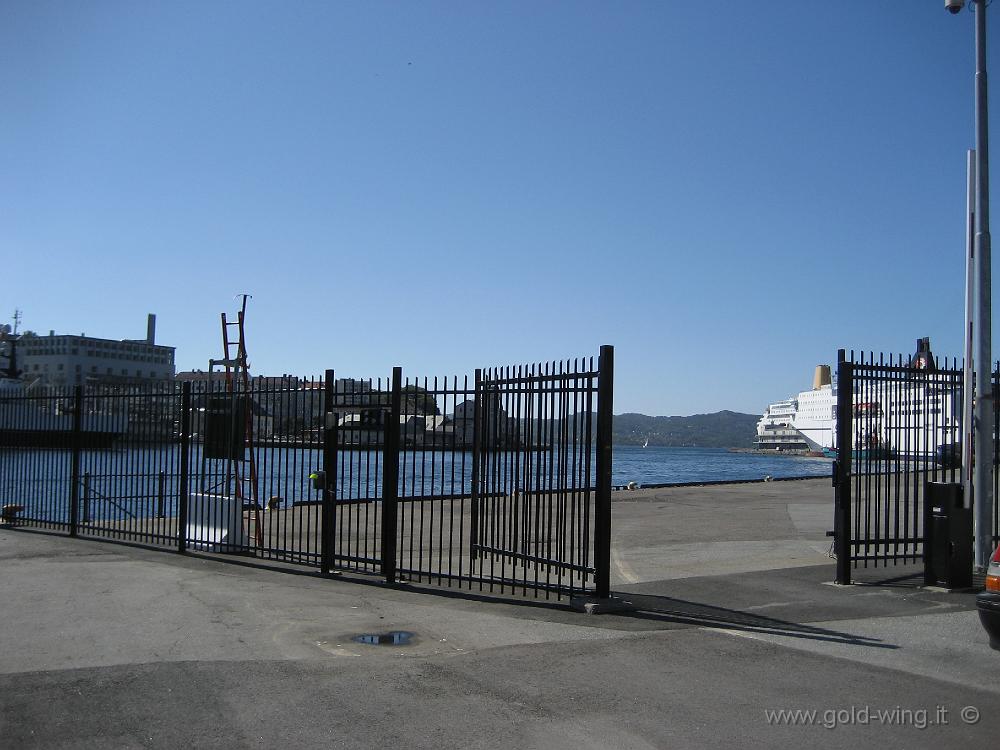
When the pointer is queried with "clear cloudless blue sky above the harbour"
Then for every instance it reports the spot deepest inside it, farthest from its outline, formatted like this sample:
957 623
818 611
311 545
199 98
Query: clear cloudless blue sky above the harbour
726 191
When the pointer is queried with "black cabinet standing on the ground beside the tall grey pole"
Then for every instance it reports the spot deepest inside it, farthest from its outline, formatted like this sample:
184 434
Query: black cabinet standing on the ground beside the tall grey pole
947 536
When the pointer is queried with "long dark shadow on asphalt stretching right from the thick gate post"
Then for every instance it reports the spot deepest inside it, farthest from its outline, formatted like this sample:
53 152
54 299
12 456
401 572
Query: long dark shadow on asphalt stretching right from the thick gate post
664 608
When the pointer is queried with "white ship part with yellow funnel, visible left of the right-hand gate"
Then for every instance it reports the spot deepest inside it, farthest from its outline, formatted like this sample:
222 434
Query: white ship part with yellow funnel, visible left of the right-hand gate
805 422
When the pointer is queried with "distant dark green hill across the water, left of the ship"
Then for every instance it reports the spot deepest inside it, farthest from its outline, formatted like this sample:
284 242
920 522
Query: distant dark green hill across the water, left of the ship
723 429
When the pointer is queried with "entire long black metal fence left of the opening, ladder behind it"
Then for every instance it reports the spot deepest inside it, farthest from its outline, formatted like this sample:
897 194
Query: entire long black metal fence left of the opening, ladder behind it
499 482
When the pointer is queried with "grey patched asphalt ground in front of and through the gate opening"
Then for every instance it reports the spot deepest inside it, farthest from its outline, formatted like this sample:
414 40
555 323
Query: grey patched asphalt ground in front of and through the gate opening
108 645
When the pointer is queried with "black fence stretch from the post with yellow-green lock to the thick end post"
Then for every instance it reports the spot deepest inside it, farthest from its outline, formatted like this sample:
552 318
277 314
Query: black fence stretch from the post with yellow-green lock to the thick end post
497 484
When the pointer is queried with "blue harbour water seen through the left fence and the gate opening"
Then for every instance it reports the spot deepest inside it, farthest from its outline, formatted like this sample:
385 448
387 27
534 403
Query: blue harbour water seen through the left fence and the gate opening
126 482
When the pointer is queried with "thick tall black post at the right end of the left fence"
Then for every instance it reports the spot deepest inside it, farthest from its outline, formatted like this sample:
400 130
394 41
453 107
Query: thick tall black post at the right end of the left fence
602 494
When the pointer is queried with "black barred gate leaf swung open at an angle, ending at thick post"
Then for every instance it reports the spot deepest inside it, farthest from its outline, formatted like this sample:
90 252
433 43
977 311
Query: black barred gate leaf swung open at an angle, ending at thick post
536 500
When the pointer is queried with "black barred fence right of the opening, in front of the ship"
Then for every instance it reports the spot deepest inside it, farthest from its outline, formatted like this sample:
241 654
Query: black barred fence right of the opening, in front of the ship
899 425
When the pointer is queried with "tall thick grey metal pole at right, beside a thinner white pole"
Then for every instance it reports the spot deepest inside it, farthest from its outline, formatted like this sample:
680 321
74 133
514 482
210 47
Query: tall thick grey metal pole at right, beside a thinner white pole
983 422
